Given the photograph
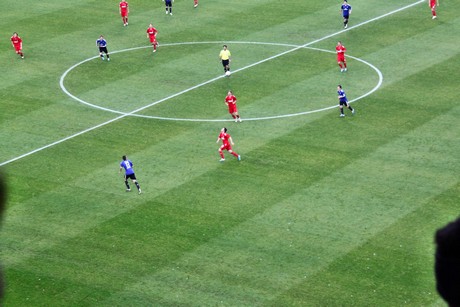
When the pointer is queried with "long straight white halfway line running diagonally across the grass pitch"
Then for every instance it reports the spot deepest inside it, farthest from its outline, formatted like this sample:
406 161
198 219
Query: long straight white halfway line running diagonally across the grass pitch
207 82
